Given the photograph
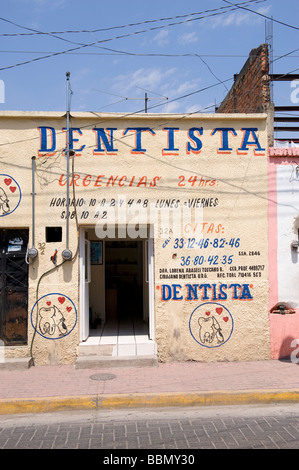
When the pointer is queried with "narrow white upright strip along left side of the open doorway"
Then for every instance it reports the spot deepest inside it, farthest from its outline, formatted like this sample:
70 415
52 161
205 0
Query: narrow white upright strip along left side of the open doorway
85 278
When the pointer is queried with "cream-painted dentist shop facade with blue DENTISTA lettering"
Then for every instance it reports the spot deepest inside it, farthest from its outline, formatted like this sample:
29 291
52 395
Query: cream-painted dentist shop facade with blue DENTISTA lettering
158 220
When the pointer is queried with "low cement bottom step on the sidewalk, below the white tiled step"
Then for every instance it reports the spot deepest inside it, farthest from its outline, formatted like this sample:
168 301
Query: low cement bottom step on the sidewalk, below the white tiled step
107 362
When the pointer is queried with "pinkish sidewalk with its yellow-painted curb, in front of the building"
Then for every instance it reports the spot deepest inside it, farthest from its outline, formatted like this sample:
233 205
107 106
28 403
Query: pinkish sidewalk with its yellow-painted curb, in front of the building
53 388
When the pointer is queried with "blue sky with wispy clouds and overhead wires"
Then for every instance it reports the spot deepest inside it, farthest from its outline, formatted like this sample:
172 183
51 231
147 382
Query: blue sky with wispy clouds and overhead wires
182 54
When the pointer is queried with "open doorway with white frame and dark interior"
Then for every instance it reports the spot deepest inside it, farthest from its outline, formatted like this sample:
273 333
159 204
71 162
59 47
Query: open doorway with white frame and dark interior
116 289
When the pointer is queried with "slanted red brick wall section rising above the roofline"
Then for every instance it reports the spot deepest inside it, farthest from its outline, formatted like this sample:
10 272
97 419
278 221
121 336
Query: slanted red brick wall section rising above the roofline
250 92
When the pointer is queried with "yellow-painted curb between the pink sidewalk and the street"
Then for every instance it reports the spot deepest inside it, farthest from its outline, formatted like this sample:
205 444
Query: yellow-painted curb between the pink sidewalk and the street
138 400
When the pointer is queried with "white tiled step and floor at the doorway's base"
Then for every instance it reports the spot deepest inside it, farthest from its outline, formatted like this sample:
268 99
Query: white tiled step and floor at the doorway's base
121 338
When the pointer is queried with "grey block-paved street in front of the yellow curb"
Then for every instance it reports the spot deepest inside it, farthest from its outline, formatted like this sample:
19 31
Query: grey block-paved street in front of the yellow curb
149 435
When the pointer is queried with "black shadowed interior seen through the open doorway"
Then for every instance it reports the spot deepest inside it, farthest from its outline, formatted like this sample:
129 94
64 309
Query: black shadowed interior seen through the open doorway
124 280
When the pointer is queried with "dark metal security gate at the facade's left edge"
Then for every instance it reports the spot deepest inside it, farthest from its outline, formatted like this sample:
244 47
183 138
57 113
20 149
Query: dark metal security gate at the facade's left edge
13 287
